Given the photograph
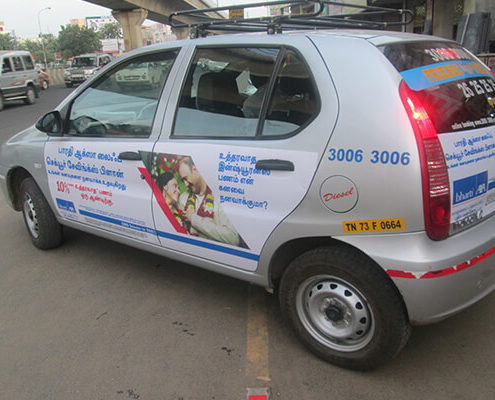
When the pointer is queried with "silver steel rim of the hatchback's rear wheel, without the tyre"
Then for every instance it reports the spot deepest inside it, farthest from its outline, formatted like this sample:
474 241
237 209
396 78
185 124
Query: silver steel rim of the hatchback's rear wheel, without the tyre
335 313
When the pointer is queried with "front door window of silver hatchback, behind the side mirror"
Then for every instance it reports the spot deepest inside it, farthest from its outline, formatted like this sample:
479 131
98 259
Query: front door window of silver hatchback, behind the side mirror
121 103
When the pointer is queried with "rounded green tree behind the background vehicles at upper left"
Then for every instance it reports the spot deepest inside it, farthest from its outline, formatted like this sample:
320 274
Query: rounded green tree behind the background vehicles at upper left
73 41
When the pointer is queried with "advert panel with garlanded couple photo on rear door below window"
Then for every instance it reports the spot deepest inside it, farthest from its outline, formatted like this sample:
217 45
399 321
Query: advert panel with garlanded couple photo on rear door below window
211 200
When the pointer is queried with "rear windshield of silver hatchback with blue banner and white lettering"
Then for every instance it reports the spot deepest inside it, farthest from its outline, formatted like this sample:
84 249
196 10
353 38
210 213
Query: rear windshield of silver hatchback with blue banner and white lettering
456 89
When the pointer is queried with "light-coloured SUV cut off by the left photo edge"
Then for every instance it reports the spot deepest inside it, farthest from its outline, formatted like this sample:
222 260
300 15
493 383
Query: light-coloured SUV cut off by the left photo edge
18 77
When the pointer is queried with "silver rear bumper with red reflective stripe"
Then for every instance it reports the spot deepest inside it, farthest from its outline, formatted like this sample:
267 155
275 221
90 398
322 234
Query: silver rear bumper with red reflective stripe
436 279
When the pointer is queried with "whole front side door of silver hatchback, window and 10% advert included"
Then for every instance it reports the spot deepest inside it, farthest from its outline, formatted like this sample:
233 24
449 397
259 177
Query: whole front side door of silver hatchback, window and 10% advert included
94 169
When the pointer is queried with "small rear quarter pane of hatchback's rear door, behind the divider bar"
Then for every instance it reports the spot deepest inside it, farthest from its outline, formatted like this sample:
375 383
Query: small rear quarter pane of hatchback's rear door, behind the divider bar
293 102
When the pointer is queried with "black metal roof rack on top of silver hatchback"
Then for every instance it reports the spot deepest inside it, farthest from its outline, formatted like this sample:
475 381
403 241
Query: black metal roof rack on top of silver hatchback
314 15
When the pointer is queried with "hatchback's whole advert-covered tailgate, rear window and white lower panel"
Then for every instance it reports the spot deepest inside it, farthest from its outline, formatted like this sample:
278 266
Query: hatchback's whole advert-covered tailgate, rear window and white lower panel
458 93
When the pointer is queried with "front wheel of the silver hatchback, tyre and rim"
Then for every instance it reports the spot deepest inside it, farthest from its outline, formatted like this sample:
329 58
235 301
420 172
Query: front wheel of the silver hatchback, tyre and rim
43 228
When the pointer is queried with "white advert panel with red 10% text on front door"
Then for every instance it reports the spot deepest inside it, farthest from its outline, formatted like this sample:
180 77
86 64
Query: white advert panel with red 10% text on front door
89 183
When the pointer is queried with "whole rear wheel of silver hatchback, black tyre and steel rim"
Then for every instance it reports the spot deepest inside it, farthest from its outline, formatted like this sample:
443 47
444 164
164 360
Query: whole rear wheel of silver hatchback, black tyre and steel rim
344 307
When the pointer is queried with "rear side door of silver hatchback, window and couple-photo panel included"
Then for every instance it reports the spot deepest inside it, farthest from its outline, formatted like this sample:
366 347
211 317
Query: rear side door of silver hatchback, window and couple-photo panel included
239 147
